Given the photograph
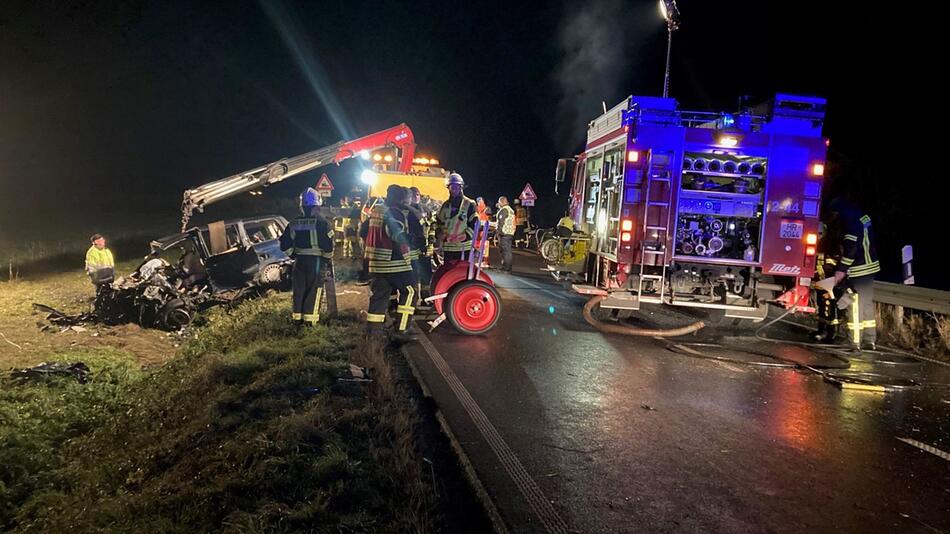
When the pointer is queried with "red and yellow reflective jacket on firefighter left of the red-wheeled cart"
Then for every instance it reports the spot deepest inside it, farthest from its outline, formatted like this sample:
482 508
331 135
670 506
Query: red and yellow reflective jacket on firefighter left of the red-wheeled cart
387 241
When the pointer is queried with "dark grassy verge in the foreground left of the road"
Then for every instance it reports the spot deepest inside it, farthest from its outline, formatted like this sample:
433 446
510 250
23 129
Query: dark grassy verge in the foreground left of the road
247 430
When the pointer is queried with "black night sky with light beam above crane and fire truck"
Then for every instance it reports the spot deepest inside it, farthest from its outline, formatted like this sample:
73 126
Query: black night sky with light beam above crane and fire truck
116 107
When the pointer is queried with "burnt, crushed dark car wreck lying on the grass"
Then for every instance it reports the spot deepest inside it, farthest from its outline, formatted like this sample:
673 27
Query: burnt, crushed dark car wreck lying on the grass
219 263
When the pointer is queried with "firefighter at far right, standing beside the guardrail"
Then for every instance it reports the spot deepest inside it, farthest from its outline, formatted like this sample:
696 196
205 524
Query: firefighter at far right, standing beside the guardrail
856 269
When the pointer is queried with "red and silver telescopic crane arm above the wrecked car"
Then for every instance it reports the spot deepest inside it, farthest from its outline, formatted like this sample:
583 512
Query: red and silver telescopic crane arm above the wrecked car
199 198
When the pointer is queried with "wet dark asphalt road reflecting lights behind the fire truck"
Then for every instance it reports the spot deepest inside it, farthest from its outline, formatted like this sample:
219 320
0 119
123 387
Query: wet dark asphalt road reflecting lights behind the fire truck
569 429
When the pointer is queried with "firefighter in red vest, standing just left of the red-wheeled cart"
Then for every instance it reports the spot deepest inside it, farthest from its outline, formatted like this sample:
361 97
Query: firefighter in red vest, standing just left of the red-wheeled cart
387 249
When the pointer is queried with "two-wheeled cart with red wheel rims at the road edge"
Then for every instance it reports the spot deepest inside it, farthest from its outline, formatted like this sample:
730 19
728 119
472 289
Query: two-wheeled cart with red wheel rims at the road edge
465 295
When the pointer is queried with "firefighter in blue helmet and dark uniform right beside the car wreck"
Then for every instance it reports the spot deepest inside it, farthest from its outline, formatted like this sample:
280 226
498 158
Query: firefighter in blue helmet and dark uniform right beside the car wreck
308 239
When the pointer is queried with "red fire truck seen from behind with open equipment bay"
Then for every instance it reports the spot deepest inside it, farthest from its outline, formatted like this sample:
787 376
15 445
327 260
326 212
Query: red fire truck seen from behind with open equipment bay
699 209
